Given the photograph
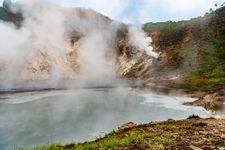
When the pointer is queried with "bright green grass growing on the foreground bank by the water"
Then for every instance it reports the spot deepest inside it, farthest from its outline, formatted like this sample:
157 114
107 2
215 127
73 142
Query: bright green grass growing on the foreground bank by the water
161 137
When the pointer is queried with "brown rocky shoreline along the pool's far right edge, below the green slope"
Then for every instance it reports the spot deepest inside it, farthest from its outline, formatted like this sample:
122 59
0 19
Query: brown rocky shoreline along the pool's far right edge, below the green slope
212 101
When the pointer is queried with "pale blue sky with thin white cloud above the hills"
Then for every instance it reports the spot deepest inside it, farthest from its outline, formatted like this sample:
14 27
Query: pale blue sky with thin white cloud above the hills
142 11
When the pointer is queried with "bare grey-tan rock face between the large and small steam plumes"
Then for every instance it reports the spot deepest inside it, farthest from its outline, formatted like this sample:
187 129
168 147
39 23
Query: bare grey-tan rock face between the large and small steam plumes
132 63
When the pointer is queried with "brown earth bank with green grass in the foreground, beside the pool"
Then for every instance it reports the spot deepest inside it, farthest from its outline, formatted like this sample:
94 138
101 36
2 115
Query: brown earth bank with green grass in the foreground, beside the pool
191 134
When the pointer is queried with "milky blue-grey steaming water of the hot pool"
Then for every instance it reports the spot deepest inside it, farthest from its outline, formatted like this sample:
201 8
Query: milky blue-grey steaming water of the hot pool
77 115
